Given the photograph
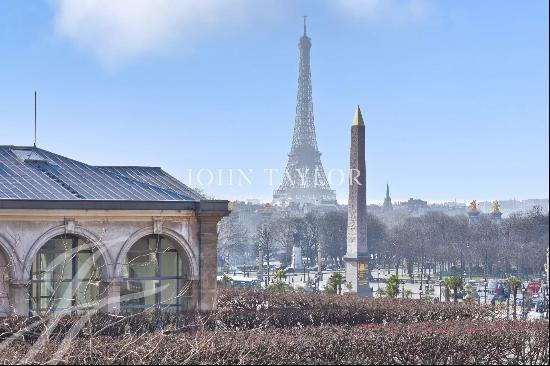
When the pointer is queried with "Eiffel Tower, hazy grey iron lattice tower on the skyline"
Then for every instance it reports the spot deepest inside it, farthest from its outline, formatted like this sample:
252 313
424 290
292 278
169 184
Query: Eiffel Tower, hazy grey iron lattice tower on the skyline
304 181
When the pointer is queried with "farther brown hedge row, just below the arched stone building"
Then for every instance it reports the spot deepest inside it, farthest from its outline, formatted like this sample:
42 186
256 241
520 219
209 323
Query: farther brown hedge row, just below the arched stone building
245 310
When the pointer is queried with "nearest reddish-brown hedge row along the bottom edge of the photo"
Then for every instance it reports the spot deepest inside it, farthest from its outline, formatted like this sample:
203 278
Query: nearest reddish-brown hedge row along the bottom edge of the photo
459 342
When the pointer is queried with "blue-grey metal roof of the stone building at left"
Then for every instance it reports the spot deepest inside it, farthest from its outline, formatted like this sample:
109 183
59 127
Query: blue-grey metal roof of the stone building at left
29 173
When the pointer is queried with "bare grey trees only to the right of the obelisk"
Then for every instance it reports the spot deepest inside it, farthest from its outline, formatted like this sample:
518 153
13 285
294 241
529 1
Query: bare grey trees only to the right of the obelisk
482 246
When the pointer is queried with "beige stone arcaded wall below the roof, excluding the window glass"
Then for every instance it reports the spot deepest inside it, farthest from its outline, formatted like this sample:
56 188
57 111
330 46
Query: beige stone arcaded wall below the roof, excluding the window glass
111 232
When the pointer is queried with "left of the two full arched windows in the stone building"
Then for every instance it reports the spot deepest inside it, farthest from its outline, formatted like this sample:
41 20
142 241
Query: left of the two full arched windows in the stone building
65 275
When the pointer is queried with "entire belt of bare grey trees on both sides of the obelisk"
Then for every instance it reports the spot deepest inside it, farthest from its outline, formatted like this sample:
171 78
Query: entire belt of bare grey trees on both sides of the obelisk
433 242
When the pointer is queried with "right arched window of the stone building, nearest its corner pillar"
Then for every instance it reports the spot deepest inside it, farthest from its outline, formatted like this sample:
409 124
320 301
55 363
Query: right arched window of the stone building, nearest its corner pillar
155 275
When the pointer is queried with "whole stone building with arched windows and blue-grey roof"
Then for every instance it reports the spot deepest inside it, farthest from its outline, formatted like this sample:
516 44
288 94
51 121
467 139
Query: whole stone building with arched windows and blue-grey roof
75 236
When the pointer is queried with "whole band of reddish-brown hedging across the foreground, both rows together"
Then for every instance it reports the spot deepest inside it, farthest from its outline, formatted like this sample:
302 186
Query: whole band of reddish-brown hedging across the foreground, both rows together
282 328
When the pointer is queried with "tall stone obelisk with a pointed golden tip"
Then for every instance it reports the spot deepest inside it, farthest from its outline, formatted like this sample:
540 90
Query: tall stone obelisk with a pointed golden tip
357 267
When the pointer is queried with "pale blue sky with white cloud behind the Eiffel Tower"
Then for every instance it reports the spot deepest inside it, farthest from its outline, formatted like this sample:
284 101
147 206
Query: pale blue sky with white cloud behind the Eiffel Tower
454 93
